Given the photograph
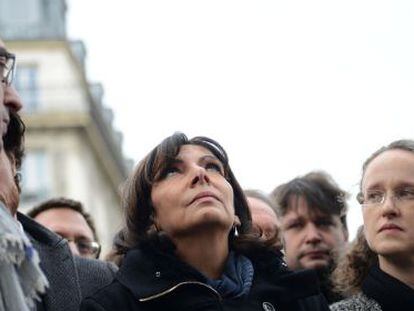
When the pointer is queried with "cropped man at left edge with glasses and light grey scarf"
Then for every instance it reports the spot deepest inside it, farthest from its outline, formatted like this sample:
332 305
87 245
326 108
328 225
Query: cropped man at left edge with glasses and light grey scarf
21 278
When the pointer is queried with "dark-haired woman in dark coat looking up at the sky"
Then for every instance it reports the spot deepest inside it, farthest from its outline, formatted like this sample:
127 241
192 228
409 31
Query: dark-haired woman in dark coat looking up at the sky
187 243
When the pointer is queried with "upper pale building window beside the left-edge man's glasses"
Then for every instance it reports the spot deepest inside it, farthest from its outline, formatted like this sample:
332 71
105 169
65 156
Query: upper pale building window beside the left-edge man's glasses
27 85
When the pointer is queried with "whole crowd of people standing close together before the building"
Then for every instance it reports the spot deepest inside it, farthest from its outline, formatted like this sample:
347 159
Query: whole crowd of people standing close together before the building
193 239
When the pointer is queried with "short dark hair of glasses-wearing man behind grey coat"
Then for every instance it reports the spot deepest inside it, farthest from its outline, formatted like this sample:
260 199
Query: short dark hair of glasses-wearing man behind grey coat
64 203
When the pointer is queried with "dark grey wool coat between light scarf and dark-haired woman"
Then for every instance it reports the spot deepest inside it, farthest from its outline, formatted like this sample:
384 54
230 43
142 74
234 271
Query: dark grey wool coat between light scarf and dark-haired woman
70 277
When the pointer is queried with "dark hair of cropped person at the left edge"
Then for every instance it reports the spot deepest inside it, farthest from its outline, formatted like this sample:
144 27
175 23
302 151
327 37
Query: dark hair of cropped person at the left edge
13 142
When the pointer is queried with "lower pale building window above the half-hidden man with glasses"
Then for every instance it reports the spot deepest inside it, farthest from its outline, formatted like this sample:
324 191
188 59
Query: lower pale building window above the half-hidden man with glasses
35 176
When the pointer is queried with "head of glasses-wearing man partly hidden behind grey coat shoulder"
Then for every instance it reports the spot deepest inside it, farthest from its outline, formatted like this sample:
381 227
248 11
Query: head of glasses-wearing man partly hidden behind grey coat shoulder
68 218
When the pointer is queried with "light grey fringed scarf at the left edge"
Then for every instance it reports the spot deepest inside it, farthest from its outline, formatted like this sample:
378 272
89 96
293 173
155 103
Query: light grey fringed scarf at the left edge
21 280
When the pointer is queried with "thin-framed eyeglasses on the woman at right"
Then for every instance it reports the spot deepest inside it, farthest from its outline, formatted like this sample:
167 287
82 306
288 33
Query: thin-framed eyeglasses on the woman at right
377 197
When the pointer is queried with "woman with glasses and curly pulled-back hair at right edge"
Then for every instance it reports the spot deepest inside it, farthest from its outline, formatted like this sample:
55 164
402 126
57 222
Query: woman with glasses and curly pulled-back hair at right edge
378 270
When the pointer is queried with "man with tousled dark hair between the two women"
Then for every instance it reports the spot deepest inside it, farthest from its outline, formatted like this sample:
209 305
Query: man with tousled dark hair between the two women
313 210
